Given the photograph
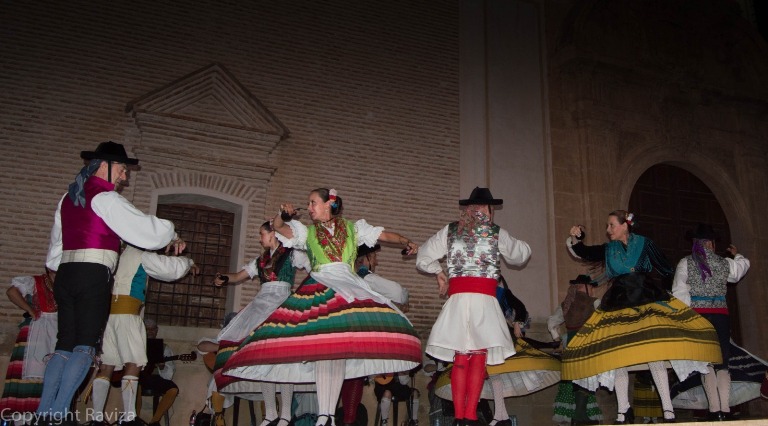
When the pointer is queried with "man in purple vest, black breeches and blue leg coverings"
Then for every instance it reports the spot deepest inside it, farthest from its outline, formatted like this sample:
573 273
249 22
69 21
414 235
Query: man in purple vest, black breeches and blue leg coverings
90 221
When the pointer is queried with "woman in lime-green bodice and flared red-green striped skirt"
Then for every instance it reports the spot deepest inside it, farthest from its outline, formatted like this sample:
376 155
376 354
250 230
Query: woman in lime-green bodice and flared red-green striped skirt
333 327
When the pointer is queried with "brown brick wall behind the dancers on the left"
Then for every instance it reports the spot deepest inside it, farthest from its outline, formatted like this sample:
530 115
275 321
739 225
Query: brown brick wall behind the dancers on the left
368 95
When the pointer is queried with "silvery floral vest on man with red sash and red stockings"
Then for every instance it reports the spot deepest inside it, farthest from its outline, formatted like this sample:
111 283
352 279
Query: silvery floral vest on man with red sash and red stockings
474 252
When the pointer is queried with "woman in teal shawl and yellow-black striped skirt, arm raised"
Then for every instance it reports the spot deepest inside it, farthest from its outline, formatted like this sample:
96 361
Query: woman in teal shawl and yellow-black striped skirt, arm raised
637 324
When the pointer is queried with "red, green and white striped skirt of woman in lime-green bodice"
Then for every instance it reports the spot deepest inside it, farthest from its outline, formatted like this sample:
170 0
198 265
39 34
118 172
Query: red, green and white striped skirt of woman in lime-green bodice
318 323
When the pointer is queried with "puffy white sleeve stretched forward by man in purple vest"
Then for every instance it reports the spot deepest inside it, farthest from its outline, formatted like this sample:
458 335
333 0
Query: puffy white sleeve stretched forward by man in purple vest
131 224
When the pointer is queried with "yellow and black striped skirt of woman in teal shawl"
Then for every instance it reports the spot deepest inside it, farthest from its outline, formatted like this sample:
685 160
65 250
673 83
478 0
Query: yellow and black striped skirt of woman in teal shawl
658 331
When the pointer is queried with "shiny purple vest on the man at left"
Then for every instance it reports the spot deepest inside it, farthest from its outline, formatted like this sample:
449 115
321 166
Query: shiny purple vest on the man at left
81 228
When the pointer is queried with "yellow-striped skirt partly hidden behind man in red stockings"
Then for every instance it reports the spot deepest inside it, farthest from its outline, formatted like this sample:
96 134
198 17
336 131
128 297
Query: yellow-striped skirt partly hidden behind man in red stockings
529 370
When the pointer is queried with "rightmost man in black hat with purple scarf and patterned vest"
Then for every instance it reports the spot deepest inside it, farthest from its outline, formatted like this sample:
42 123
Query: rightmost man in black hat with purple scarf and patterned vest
701 283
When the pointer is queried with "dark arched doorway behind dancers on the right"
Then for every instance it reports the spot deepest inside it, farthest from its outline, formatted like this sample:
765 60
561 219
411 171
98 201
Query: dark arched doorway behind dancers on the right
668 201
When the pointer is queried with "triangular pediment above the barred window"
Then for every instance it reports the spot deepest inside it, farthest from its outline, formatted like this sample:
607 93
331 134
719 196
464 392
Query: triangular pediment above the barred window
211 96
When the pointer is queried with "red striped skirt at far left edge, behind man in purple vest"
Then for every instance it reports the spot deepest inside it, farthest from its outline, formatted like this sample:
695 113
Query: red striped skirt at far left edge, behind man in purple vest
19 395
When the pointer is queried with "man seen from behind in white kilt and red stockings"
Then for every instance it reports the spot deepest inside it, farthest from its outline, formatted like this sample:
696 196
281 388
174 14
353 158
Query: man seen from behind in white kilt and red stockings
471 330
